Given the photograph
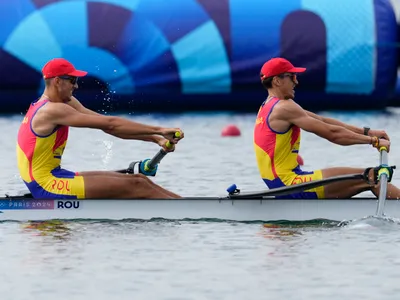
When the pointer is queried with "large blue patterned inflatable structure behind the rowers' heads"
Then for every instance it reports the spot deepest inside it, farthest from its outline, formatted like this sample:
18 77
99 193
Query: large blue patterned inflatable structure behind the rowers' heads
200 54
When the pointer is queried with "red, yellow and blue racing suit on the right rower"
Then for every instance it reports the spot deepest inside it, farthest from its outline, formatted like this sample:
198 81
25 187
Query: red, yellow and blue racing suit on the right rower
276 154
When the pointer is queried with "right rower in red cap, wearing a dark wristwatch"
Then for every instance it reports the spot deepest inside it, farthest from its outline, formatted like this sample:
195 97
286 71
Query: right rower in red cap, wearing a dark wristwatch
277 136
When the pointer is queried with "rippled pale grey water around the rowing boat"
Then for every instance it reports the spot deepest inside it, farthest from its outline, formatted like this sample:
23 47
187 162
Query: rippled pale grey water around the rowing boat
200 260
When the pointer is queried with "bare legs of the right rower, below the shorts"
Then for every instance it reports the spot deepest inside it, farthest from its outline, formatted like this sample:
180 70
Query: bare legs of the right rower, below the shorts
350 188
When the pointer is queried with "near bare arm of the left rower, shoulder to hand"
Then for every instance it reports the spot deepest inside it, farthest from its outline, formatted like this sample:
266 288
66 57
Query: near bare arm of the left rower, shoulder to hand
63 114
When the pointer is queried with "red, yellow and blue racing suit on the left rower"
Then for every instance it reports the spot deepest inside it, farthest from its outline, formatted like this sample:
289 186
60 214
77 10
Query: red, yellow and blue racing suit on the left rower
39 161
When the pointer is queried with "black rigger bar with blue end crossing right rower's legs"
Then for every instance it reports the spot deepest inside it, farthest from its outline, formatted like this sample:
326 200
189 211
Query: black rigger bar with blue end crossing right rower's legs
293 188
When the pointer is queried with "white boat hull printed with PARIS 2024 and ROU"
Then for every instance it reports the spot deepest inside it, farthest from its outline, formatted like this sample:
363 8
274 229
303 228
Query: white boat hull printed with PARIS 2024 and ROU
195 208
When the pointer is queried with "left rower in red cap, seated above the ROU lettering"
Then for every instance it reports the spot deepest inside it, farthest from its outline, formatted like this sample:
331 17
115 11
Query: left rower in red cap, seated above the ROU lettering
43 136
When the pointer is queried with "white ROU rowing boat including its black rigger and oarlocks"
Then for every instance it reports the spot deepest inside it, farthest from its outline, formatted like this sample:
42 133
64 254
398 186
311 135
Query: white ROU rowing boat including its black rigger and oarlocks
237 206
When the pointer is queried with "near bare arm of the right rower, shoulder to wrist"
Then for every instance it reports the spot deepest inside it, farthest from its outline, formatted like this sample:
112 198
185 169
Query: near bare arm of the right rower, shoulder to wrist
291 112
